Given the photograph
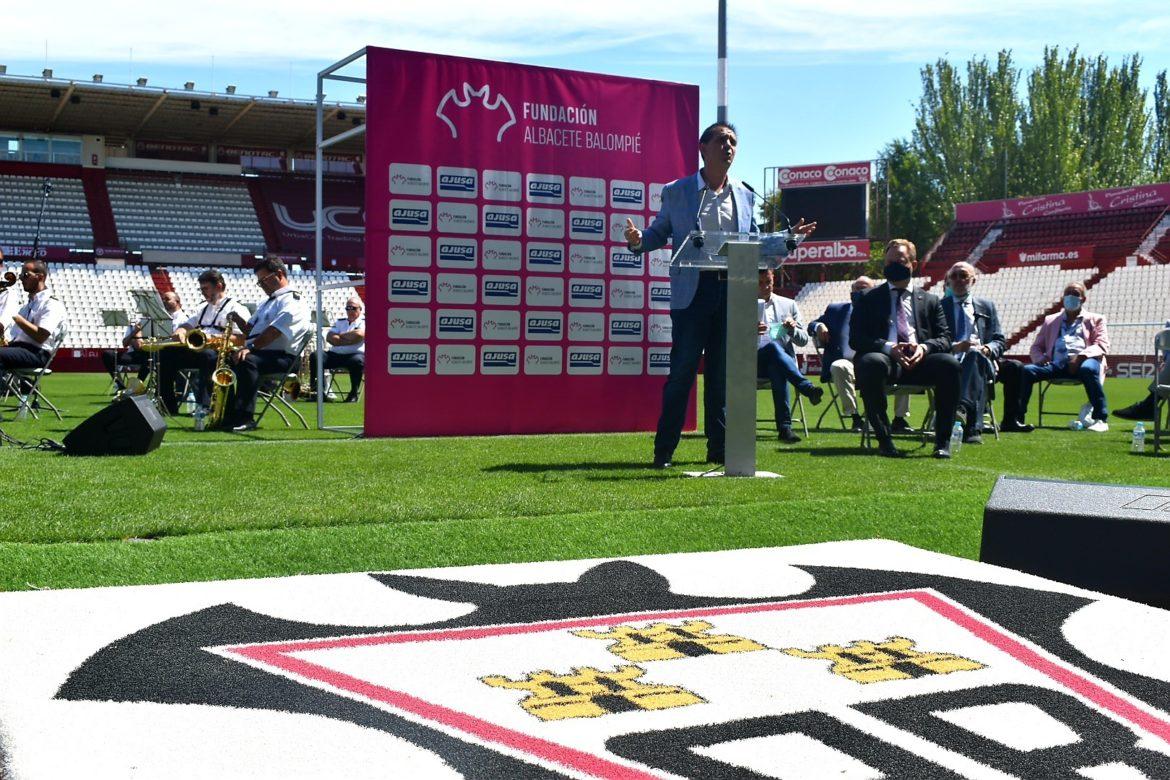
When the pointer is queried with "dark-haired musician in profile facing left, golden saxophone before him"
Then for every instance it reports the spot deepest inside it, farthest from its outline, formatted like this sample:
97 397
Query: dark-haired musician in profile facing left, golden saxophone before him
274 339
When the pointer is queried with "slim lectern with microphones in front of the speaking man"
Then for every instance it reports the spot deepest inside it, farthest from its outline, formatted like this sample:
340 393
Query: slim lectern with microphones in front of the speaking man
742 256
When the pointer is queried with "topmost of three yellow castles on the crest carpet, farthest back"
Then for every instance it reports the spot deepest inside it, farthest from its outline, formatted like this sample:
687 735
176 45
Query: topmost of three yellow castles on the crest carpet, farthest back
667 643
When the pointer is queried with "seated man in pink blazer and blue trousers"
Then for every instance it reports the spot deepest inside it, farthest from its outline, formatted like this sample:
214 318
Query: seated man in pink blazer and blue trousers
1072 344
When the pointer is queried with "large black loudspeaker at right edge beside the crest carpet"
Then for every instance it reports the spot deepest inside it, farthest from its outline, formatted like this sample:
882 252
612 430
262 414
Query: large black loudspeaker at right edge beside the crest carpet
1110 539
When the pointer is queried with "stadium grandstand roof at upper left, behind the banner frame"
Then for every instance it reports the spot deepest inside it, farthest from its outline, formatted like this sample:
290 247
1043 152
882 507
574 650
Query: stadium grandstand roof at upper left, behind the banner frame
121 112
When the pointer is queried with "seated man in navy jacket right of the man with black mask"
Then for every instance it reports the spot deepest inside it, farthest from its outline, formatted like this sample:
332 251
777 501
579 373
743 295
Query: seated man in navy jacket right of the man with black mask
979 342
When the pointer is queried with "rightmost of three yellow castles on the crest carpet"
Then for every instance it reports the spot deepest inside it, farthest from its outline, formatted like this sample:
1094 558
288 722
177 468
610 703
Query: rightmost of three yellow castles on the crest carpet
896 659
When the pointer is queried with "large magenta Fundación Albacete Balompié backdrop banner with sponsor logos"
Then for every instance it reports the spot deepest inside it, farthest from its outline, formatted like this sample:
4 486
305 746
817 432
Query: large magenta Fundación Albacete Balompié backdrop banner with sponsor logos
500 295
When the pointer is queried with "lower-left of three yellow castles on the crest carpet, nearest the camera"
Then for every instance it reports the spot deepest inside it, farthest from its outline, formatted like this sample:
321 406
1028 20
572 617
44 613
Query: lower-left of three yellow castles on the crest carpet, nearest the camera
589 693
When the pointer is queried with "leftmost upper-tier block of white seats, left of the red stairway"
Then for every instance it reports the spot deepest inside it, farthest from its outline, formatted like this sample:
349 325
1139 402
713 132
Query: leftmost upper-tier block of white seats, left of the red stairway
66 222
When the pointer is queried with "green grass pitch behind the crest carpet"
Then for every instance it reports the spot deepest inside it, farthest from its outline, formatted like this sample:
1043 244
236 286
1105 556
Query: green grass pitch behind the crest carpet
277 502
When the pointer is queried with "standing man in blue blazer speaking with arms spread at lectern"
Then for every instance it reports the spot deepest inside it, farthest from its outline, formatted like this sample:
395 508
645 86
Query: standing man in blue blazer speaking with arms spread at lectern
708 201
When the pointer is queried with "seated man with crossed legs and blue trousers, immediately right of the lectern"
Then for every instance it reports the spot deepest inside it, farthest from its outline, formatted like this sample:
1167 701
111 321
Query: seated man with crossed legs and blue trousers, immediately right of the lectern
781 332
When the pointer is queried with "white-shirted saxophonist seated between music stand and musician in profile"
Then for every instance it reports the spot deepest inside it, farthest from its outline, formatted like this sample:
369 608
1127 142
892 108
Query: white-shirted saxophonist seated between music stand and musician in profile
211 319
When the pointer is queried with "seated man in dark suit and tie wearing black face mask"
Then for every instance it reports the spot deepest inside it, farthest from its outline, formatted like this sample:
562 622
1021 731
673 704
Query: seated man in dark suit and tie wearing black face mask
901 336
